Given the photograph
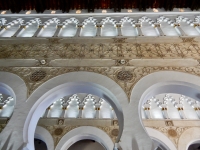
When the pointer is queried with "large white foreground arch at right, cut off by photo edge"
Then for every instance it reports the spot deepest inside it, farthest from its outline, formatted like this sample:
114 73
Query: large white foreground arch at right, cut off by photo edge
149 86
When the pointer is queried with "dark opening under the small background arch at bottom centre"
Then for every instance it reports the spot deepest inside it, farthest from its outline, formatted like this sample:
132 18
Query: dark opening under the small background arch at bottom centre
86 145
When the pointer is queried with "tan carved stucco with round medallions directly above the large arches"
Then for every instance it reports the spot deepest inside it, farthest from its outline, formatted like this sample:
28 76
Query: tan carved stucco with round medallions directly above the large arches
134 73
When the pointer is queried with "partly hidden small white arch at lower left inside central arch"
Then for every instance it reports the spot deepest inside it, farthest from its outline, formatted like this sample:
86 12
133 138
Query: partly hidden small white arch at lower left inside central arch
44 135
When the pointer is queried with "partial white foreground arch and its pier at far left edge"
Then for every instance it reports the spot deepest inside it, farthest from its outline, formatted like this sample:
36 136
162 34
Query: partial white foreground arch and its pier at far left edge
15 126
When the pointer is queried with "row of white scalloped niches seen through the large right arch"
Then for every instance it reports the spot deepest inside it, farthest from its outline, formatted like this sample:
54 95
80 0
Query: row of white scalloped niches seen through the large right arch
171 106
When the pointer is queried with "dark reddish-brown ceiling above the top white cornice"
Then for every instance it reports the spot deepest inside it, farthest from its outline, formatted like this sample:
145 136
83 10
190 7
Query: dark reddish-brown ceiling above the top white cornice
65 5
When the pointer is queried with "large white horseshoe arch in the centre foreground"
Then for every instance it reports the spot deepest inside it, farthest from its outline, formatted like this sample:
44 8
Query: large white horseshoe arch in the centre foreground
74 82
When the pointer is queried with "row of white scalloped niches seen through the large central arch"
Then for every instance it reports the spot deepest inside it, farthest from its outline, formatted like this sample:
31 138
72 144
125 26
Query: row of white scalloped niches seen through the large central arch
80 105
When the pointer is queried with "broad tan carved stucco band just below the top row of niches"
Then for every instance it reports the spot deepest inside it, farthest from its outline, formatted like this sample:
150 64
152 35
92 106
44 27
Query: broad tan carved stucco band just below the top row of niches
103 51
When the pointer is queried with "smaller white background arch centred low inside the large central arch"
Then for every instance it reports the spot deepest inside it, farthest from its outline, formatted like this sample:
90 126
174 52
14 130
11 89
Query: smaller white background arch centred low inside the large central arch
85 132
